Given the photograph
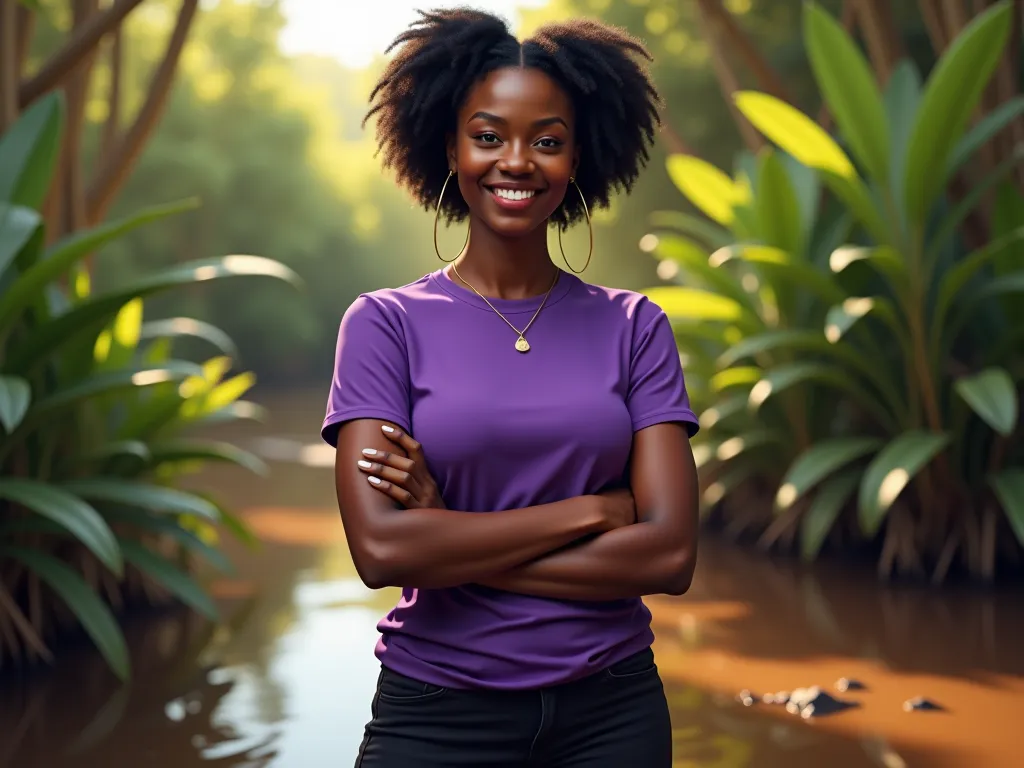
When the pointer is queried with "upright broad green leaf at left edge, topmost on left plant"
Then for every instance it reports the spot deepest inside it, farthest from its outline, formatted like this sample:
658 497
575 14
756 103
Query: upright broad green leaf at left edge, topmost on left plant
29 152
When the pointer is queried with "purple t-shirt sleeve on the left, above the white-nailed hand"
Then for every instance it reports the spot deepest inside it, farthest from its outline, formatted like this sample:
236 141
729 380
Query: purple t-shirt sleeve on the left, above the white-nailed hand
371 370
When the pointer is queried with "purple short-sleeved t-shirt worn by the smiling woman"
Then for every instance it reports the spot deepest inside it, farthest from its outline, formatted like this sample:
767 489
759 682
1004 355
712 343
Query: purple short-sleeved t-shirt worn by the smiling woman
504 431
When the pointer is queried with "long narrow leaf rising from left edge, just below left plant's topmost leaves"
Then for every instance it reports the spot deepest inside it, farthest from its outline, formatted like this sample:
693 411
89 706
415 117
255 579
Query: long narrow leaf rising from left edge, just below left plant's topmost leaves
65 254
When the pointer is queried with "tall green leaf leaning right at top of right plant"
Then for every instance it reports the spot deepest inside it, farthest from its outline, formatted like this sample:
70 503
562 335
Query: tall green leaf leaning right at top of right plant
951 96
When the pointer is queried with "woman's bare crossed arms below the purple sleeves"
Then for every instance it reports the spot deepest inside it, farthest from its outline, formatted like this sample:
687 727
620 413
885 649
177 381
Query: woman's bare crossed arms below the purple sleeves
548 550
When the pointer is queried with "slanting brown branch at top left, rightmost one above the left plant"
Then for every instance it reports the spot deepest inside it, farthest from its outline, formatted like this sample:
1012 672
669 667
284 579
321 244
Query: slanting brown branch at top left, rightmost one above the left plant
118 165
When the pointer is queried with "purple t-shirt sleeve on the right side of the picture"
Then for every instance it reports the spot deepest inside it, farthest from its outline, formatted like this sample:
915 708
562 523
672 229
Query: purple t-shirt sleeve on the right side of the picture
657 390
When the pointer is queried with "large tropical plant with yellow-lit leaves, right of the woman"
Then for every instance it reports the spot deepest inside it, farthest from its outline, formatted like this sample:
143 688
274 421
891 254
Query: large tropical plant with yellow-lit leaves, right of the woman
859 358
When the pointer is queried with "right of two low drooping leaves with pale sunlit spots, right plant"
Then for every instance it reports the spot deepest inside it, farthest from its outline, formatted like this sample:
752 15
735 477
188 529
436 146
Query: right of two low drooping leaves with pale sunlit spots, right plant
890 473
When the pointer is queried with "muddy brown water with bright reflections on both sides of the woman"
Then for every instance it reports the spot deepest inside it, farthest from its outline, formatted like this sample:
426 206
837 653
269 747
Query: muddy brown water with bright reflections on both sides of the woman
286 678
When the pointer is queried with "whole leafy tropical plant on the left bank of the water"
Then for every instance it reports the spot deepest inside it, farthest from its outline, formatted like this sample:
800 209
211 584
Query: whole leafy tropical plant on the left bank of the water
95 413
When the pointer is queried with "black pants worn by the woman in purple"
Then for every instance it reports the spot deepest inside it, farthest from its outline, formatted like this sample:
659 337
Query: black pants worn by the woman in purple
618 718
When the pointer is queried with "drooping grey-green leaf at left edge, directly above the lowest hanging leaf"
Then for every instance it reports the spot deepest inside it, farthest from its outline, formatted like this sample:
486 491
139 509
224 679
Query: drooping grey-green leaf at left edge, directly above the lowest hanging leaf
69 511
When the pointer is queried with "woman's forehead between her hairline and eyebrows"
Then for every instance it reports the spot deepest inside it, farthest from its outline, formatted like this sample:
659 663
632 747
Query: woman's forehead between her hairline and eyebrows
518 93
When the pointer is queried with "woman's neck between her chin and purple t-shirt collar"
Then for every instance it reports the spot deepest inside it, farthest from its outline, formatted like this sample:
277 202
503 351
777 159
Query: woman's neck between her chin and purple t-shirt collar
507 269
